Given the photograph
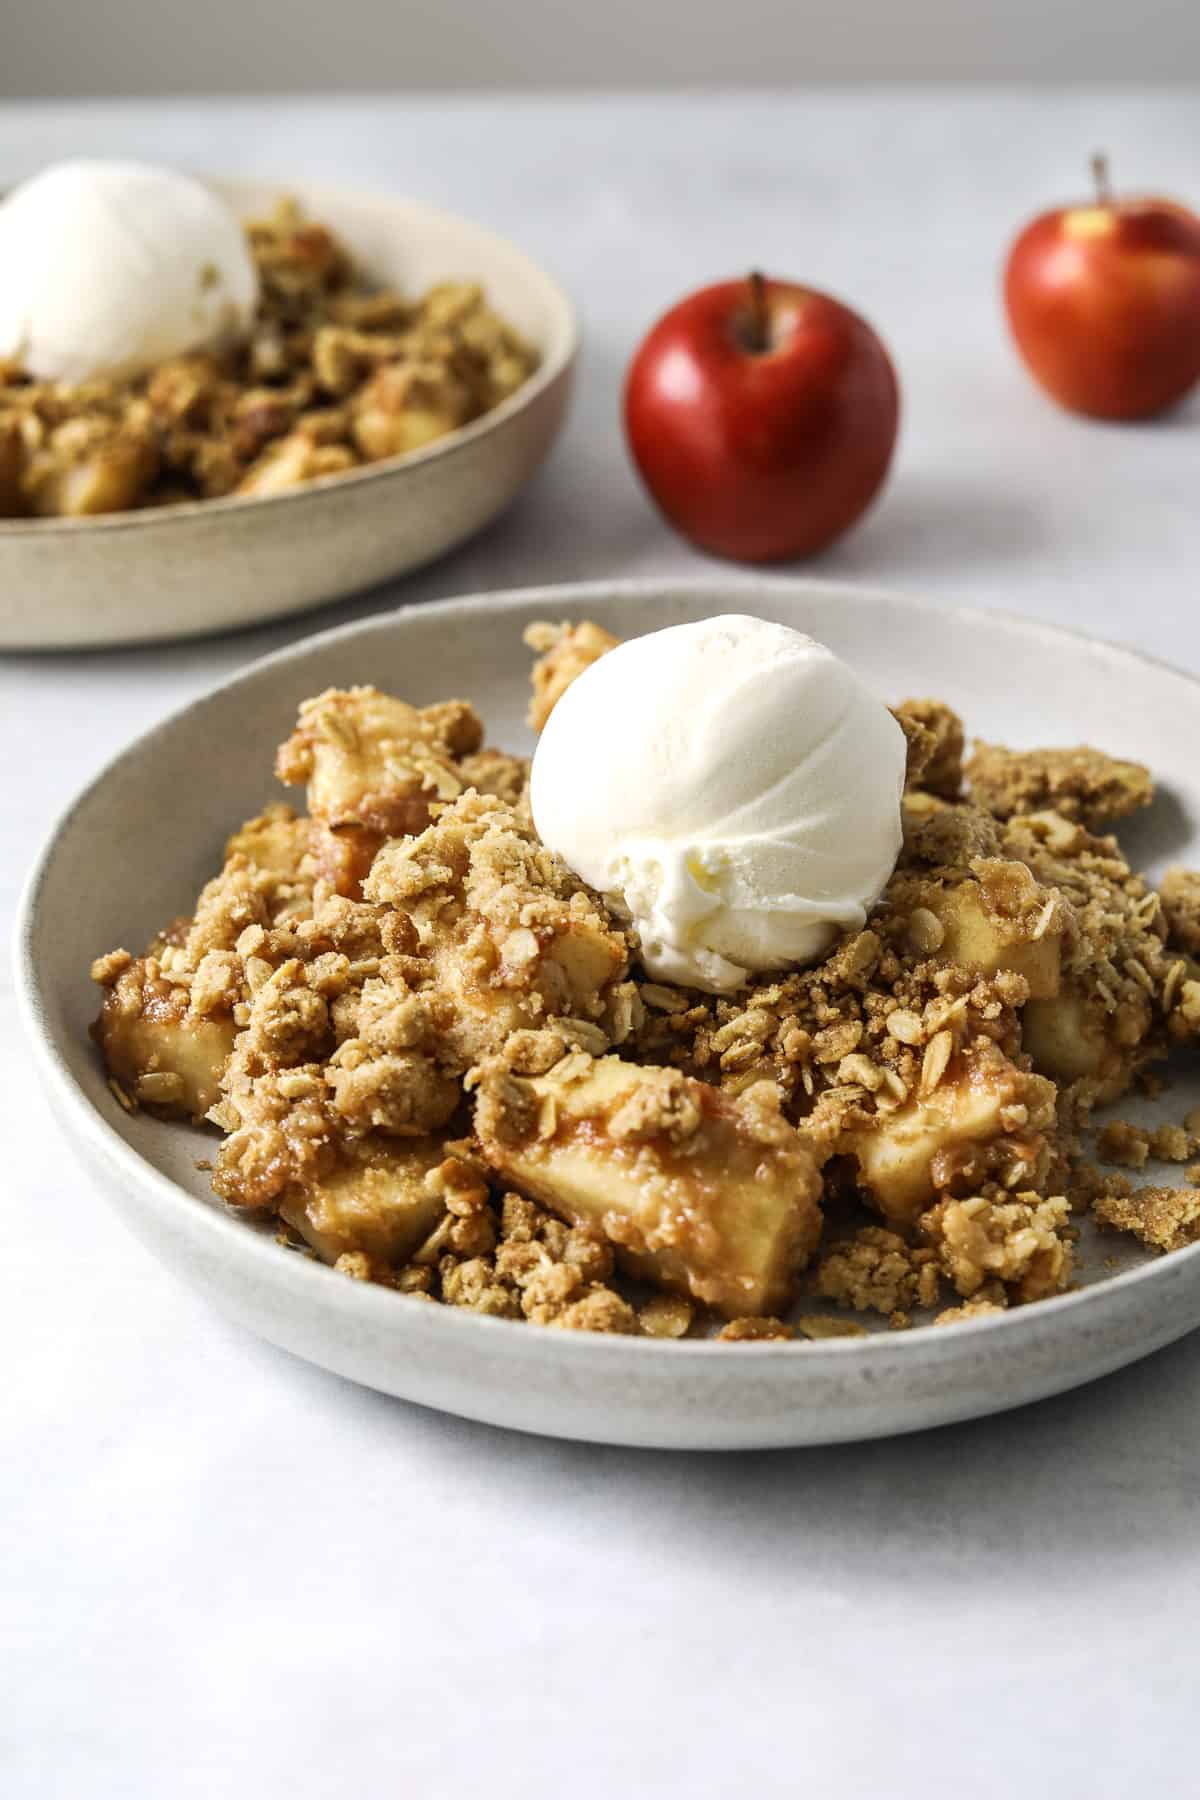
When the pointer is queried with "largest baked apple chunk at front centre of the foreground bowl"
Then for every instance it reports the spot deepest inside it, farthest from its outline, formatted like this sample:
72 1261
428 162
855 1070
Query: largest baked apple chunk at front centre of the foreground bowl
699 1192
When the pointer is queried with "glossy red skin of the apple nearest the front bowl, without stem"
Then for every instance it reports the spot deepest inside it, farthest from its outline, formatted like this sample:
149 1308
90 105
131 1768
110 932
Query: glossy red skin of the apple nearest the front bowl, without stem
762 454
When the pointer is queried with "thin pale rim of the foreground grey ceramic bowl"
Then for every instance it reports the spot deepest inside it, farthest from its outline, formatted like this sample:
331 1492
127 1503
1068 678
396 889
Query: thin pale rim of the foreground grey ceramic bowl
319 1284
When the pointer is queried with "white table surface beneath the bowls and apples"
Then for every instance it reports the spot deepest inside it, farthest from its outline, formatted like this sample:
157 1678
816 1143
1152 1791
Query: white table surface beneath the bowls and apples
224 1572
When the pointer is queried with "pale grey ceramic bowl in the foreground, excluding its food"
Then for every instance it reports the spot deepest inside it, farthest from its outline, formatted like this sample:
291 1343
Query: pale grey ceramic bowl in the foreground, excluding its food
138 843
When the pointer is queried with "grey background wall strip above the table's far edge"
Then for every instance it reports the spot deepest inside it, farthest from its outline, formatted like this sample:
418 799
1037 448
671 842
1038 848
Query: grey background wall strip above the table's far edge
273 46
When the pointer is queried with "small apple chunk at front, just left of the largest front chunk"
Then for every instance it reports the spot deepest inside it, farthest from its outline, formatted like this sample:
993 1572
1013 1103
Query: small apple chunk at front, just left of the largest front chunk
384 1209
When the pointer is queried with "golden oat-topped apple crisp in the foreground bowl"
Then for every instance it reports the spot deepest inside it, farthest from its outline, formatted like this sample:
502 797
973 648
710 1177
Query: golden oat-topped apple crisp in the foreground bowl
436 1061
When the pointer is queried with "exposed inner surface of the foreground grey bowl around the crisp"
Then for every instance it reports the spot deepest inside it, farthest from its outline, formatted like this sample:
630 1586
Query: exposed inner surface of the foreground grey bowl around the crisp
150 831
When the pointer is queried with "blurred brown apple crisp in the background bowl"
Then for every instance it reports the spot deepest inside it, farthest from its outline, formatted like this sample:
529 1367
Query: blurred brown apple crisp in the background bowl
336 375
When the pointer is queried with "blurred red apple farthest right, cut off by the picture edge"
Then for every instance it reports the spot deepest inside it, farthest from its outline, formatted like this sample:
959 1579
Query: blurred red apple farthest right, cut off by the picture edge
1106 303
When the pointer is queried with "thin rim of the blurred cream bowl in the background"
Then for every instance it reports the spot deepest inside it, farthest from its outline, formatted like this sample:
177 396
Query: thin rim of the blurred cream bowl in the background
560 357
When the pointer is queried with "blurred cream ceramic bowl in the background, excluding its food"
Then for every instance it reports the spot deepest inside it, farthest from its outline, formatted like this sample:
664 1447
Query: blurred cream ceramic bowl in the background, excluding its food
208 566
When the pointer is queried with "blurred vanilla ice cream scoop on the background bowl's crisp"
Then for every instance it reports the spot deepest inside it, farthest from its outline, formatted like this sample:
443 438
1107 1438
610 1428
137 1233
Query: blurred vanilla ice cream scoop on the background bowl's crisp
112 267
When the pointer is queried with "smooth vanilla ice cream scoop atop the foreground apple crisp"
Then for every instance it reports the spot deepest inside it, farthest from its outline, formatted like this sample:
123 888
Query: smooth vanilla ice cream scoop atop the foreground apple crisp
733 786
